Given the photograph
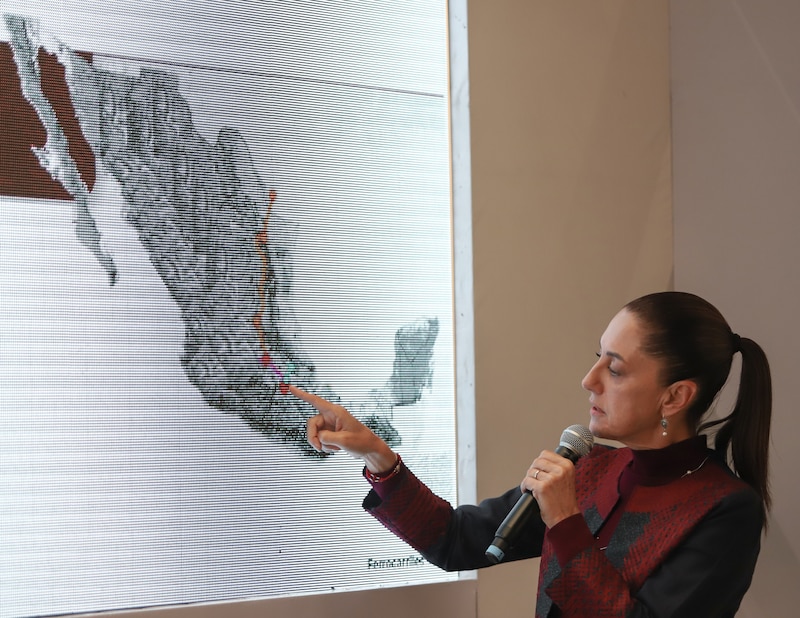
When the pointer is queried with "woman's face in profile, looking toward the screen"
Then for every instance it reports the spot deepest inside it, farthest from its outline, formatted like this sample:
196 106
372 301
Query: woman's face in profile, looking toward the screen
625 387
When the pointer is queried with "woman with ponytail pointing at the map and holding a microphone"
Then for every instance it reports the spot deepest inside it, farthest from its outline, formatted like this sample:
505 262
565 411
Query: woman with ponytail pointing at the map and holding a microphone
661 527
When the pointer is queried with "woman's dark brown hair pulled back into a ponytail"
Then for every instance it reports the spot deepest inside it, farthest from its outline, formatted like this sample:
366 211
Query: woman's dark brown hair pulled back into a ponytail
694 342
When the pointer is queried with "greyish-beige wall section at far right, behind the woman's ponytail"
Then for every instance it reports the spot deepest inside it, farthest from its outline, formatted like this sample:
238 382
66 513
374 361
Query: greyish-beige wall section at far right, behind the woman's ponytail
736 135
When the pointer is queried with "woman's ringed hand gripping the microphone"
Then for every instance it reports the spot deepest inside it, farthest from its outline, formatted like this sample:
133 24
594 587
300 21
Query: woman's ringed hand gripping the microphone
551 480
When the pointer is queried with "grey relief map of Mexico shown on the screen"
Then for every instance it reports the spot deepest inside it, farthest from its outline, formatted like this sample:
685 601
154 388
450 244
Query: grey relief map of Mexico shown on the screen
196 207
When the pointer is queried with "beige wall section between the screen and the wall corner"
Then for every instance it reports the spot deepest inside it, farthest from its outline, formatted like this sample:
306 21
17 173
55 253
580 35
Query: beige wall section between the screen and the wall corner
571 195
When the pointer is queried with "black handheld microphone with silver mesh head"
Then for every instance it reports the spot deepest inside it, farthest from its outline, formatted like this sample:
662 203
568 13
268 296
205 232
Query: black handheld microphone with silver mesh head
576 441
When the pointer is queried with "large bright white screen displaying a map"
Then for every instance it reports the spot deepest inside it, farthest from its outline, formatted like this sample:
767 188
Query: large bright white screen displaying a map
203 203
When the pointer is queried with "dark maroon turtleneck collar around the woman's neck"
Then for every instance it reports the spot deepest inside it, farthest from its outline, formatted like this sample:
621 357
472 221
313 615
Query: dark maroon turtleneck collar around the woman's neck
653 467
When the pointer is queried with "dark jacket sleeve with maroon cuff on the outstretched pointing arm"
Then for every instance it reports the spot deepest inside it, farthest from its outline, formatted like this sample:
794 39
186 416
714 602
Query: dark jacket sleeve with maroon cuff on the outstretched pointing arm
452 539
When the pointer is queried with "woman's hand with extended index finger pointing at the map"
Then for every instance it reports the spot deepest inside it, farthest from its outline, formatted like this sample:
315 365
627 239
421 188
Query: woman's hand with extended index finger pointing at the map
334 429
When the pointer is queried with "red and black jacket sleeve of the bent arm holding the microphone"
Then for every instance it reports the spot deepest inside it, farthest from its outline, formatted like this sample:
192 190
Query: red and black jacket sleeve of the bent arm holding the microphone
706 575
